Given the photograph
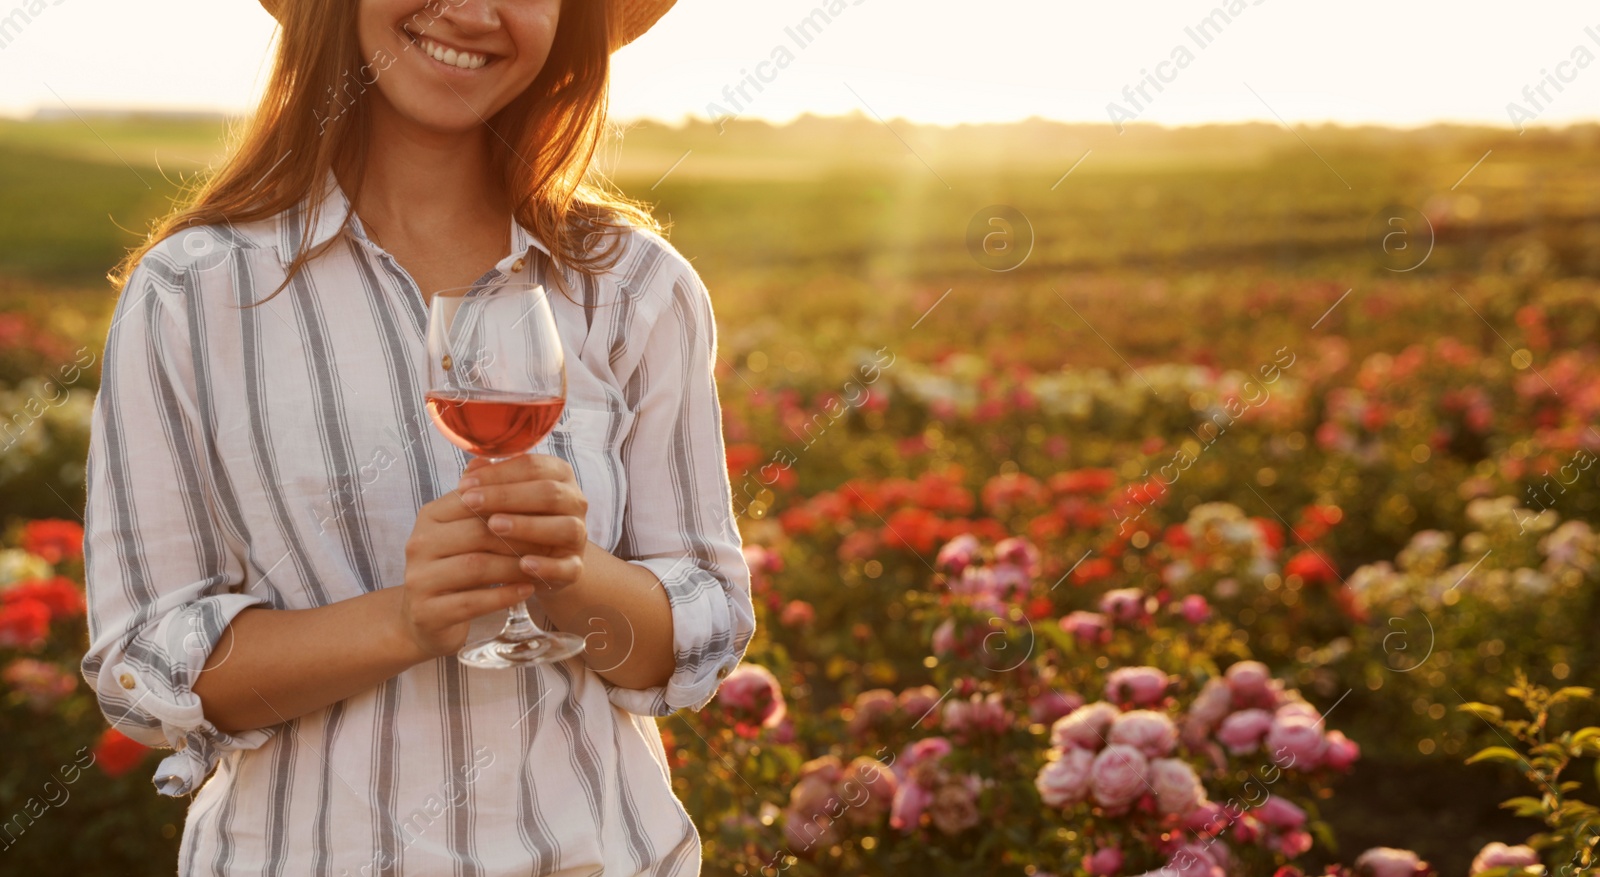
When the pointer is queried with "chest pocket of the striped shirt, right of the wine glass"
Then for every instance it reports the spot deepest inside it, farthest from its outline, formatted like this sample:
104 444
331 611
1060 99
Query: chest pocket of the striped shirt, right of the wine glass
591 441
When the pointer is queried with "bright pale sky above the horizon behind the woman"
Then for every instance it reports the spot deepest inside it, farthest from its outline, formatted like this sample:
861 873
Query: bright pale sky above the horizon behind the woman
937 62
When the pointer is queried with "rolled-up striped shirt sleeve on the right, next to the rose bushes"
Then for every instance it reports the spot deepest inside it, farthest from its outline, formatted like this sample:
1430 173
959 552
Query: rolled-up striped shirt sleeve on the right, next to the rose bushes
679 519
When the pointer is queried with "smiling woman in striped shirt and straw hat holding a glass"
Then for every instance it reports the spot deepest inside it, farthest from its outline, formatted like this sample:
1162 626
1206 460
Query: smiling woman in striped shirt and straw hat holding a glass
281 561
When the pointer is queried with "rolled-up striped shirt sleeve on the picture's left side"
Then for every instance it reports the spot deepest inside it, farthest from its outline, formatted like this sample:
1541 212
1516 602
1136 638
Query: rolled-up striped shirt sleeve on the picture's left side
161 574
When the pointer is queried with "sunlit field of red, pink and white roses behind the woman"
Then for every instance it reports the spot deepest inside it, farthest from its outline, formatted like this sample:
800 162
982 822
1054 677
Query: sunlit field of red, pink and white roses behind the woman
1271 441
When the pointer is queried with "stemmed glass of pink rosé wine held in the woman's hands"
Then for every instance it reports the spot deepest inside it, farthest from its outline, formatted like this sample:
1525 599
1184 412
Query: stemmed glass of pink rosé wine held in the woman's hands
497 388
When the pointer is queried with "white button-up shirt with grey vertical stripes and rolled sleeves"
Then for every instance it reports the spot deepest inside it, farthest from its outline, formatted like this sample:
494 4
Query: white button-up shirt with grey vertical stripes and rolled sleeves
279 455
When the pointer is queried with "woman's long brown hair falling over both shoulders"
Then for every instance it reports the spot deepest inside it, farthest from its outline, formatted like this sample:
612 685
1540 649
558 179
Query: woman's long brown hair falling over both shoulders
311 121
